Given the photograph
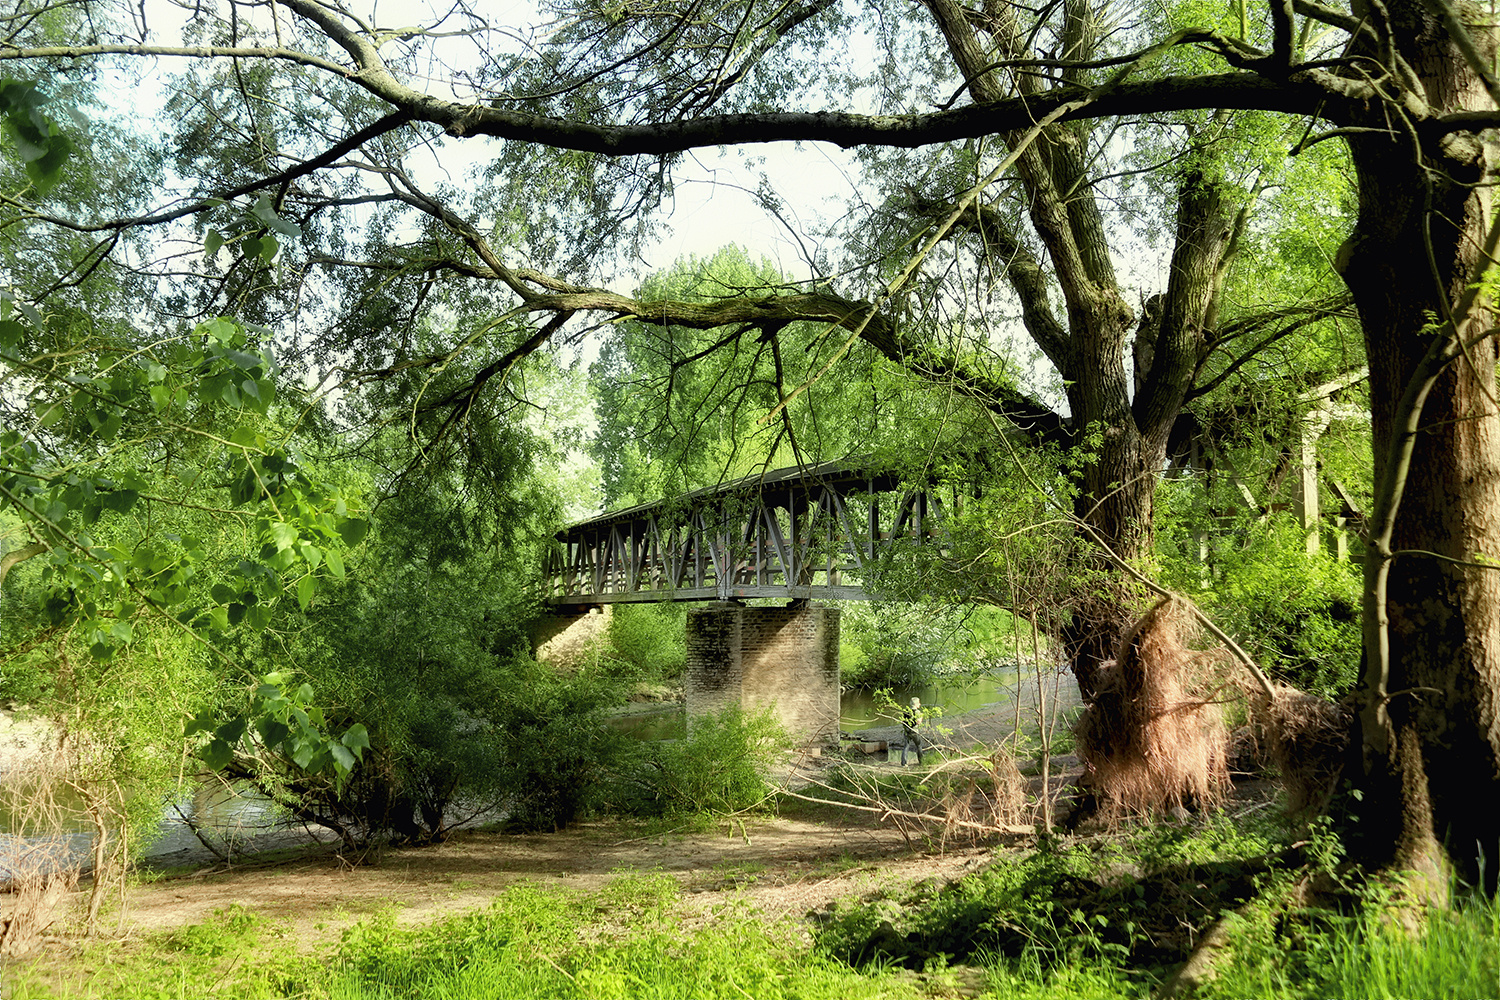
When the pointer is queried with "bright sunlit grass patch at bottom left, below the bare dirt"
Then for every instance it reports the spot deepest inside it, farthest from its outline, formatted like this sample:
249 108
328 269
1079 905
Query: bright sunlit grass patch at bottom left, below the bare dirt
628 941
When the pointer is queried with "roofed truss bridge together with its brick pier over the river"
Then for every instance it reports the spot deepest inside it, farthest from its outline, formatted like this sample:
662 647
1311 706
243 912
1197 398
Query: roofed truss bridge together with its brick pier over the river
797 534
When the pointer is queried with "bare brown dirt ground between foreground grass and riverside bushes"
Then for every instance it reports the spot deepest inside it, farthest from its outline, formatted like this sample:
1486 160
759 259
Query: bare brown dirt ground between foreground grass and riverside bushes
779 866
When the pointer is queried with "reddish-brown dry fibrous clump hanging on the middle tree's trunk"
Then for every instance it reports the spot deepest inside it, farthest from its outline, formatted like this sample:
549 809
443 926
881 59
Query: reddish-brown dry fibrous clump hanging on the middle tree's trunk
1148 743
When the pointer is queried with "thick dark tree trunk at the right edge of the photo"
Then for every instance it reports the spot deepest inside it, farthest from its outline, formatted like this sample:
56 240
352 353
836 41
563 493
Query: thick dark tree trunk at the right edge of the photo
1427 741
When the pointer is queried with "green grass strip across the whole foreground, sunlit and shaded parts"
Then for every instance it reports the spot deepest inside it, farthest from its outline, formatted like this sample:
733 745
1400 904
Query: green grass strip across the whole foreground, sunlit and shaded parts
1054 926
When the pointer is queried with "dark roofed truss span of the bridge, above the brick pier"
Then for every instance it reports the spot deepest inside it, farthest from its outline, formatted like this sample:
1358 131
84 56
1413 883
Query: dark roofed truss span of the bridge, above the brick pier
794 534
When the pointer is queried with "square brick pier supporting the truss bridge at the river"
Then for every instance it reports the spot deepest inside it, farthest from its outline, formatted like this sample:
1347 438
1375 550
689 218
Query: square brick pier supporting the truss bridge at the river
785 659
